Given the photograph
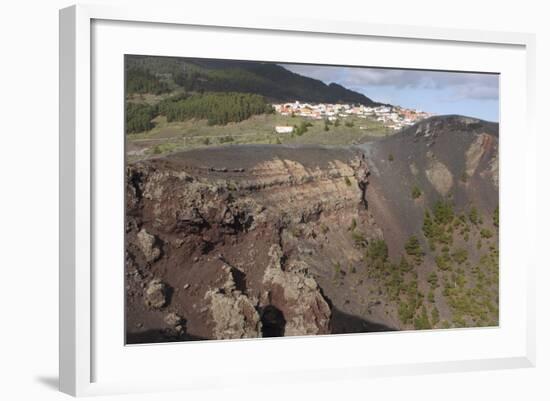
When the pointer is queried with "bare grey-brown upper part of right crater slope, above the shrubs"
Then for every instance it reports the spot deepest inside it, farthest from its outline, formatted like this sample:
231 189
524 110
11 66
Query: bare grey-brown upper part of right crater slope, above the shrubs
446 157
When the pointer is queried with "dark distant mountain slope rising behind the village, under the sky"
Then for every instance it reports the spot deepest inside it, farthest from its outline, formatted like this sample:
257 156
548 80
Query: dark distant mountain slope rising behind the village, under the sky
207 75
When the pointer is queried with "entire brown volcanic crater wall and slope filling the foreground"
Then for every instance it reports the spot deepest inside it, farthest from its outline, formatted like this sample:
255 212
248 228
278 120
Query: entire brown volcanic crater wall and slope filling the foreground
269 240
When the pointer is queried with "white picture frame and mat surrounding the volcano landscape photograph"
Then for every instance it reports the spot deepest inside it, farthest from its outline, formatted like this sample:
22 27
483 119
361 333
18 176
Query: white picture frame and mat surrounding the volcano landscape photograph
82 344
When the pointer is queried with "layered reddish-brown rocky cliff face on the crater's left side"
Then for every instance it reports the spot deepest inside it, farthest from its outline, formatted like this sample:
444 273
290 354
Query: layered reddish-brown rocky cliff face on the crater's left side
241 245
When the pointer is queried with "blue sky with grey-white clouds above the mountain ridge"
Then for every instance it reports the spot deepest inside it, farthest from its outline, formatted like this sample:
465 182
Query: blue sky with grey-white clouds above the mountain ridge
440 92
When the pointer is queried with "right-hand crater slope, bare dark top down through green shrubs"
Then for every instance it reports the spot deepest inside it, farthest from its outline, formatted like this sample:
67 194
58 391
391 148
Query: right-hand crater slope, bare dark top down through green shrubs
438 181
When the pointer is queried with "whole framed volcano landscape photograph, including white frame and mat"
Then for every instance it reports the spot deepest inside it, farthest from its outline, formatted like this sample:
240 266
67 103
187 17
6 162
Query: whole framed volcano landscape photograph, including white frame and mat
328 199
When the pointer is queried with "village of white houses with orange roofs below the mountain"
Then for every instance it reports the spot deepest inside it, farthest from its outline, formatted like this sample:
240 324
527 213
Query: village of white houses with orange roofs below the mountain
393 117
